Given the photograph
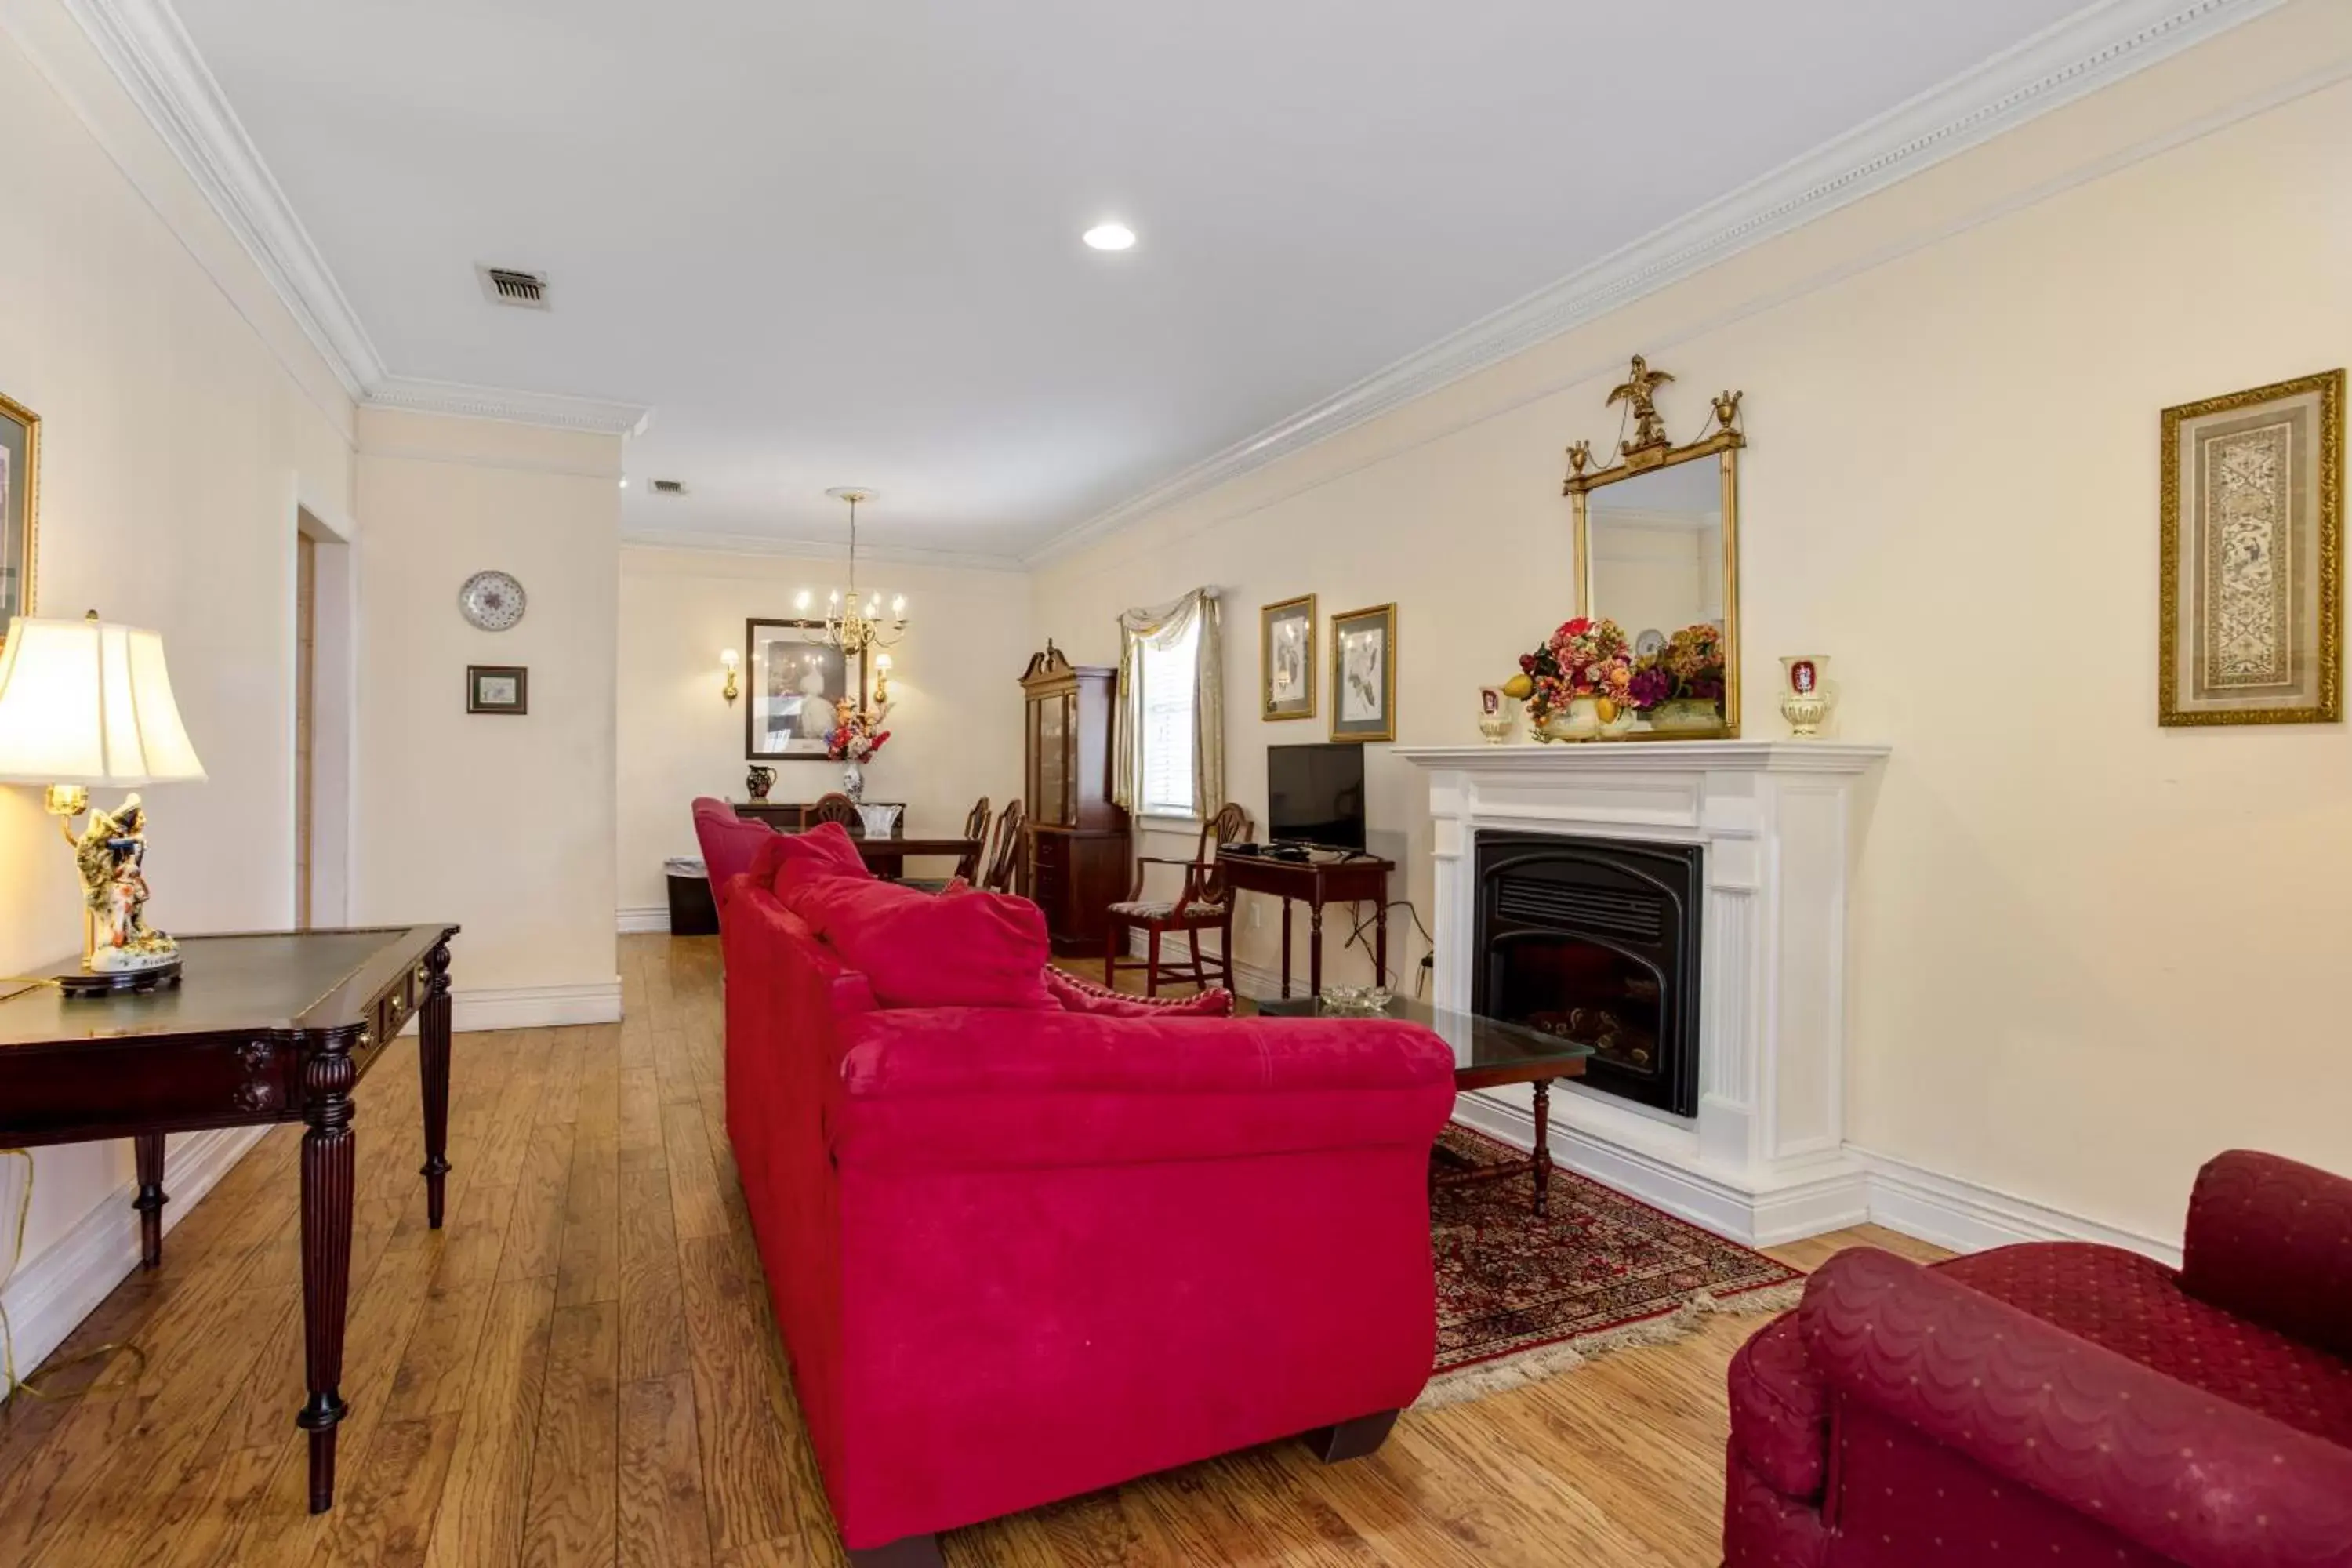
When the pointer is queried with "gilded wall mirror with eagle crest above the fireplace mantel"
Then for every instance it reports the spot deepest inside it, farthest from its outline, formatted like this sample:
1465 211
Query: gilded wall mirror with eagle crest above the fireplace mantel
1659 554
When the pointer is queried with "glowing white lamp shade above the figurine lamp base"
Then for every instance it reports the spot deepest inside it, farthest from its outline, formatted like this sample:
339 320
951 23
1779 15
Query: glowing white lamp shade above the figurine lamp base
88 704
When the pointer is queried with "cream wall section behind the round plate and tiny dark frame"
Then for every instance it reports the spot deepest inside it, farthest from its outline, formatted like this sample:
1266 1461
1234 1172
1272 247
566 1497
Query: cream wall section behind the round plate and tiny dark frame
495 822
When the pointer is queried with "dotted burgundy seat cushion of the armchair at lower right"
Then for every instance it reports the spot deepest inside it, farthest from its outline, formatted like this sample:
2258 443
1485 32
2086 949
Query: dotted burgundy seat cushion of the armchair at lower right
2139 1311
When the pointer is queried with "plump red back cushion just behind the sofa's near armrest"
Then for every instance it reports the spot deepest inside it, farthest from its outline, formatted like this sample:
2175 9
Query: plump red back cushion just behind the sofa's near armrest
984 951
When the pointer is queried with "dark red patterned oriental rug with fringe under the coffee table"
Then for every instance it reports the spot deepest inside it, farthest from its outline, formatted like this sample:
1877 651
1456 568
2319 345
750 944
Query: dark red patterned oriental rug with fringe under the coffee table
1525 1299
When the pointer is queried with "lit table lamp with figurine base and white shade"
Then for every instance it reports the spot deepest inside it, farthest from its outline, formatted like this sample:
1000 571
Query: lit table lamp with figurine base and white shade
91 704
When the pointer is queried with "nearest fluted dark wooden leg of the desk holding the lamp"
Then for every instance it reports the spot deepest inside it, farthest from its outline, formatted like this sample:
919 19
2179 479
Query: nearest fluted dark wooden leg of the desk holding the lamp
326 1257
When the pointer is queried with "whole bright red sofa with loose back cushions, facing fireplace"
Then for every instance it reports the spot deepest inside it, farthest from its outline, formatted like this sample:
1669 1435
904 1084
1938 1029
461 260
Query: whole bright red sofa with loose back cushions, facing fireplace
1022 1252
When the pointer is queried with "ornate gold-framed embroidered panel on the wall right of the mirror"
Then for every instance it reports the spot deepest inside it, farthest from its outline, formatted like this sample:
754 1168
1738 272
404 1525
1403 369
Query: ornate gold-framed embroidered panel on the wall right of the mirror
2252 563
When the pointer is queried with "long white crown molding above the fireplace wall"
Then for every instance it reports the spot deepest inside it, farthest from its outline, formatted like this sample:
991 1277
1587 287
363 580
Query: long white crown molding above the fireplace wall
2033 79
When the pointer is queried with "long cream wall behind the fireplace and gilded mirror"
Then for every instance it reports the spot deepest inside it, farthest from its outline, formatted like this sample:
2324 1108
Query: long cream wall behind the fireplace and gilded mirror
2090 953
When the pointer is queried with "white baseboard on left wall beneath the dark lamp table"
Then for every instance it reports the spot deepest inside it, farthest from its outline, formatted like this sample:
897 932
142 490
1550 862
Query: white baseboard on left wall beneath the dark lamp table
55 1292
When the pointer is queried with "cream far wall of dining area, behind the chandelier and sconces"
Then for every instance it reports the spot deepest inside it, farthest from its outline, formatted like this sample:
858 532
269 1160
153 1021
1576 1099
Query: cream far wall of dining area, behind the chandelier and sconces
954 697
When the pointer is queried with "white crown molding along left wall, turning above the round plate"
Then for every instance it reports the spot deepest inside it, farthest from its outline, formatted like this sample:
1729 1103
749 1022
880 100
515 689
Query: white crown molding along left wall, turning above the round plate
152 55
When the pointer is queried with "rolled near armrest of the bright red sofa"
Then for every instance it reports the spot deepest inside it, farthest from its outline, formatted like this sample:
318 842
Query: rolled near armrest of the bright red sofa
1010 1087
